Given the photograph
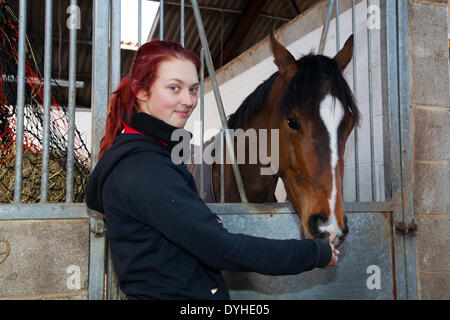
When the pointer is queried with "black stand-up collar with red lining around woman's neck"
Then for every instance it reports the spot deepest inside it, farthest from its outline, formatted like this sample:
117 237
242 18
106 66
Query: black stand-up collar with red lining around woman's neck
153 127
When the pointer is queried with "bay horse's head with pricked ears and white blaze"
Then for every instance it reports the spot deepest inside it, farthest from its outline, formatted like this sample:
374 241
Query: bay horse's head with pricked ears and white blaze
316 113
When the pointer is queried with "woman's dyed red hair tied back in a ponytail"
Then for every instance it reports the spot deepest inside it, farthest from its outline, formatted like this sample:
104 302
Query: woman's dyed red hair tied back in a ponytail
142 75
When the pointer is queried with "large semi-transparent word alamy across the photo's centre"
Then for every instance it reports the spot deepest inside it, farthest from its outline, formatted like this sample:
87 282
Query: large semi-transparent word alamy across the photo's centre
212 153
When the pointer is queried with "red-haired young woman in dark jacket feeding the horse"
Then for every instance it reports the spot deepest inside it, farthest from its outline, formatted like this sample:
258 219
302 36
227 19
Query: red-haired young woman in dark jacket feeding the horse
165 242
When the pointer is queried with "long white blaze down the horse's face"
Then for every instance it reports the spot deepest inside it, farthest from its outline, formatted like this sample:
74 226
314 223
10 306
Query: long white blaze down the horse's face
332 112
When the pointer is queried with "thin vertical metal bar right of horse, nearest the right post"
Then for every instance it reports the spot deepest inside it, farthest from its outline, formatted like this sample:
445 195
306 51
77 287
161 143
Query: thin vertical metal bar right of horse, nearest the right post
372 147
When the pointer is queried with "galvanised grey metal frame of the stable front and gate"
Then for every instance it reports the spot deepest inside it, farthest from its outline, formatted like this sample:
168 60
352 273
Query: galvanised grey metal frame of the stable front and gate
106 47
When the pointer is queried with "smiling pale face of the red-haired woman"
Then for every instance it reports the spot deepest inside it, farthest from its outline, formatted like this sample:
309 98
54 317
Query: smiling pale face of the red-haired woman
173 95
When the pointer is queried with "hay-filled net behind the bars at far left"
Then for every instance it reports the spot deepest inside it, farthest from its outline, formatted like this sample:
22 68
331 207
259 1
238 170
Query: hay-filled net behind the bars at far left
33 125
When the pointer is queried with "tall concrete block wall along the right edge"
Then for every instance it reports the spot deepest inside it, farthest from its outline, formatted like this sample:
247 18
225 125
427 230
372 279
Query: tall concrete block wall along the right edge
430 116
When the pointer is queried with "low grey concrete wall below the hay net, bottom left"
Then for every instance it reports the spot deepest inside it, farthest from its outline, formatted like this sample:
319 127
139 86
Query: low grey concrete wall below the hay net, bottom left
48 259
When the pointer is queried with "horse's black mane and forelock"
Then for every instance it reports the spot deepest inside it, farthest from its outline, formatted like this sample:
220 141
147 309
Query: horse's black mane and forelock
305 89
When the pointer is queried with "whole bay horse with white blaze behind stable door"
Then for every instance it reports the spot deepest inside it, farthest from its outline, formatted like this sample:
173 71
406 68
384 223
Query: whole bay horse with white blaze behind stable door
310 103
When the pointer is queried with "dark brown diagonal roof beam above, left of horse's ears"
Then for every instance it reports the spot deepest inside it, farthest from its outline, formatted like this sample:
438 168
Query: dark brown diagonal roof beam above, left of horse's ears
251 12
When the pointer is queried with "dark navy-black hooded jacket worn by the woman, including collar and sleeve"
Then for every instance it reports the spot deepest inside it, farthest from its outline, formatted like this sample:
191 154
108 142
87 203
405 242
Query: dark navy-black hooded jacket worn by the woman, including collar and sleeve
165 241
